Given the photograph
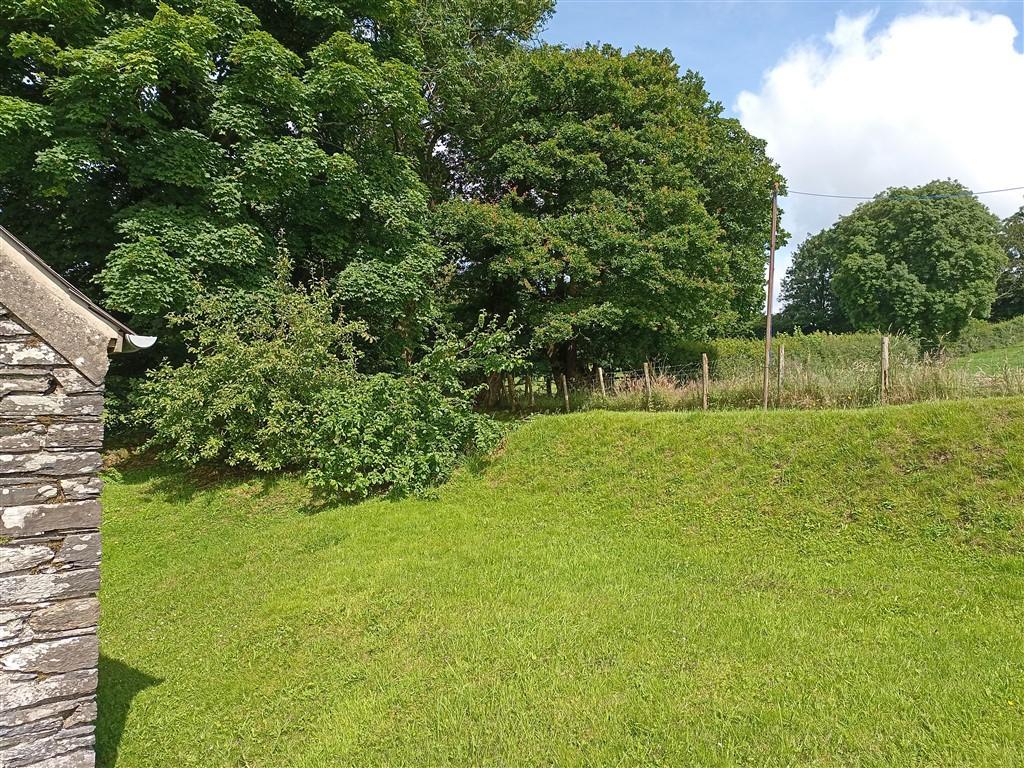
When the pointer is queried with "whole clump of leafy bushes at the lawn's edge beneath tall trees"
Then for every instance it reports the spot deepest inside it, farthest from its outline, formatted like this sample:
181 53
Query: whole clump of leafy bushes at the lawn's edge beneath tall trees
275 386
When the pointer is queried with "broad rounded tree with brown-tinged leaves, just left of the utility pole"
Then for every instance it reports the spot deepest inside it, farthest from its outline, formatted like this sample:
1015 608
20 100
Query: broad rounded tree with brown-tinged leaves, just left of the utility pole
608 203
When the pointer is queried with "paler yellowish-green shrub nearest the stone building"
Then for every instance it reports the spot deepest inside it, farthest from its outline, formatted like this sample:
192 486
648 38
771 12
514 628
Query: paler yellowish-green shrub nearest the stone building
260 364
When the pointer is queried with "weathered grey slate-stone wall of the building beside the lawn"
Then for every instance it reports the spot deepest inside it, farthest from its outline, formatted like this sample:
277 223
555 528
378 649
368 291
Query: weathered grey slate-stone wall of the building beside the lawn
51 437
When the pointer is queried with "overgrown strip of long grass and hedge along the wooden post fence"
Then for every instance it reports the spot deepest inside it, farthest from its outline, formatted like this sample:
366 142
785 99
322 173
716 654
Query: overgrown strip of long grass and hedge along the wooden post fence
822 371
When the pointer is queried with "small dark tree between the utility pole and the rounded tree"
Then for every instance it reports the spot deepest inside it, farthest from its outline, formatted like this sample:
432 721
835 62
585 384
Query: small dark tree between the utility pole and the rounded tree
810 303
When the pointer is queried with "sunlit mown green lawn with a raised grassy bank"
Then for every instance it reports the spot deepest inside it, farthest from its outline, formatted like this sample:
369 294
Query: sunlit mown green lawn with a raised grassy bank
817 588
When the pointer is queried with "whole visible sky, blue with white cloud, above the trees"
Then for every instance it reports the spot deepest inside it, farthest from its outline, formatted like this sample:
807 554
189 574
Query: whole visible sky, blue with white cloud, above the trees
851 97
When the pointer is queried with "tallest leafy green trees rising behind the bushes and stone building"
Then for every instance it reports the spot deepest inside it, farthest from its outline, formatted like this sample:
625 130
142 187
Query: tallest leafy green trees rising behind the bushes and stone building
155 152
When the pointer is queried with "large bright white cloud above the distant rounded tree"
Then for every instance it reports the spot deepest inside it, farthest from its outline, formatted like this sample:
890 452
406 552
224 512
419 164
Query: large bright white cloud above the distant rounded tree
935 95
